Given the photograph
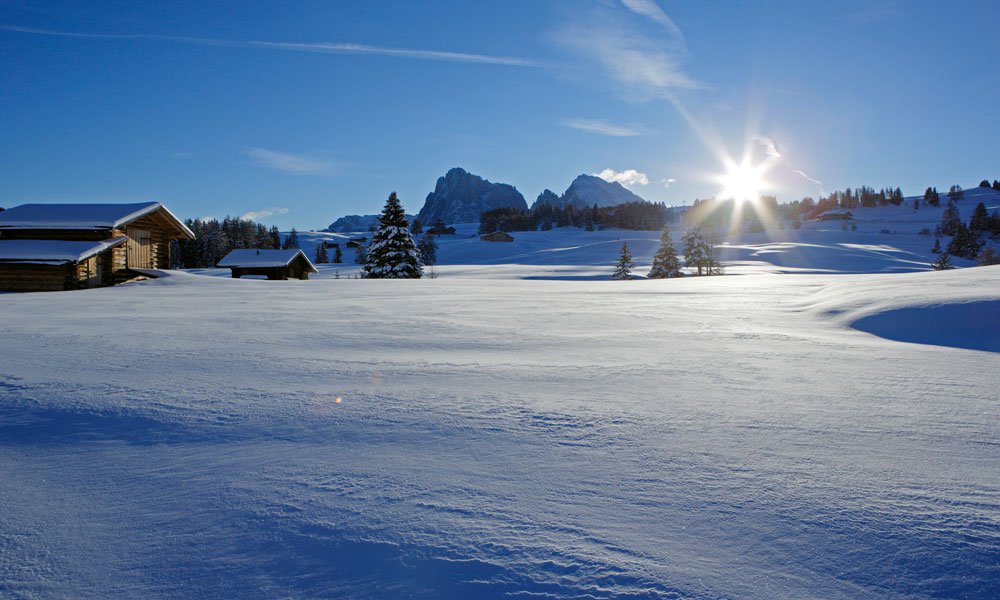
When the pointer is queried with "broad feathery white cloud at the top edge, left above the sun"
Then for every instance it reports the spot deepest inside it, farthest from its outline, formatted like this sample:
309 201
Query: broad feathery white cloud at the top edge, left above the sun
645 64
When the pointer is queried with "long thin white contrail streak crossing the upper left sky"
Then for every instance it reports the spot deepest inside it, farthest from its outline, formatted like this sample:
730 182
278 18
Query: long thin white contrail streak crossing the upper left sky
316 48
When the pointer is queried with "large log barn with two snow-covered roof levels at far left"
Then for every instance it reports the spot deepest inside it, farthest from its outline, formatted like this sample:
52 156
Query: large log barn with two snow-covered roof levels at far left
50 247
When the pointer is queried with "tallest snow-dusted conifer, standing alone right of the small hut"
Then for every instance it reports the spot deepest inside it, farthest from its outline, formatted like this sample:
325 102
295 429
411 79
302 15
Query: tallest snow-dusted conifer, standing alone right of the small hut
392 253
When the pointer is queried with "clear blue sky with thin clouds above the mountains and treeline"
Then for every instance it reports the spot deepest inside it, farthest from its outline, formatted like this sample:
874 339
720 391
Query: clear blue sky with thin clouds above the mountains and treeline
300 112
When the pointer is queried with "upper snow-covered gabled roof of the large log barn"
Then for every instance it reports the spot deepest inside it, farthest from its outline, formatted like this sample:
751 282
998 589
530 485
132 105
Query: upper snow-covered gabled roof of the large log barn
81 216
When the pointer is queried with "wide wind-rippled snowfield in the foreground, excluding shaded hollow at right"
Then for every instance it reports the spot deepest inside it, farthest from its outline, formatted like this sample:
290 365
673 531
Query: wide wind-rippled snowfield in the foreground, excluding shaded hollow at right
692 438
